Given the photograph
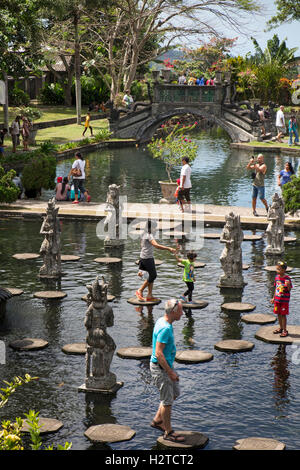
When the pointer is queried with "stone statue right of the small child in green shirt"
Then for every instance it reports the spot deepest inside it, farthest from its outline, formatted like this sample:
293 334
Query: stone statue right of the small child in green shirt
231 257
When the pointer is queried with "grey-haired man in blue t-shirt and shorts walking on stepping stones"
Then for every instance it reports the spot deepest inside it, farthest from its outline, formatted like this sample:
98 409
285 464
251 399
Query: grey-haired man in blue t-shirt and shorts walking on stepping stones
161 366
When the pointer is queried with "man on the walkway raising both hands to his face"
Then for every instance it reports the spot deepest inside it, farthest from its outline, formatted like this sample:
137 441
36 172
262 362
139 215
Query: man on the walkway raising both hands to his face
259 170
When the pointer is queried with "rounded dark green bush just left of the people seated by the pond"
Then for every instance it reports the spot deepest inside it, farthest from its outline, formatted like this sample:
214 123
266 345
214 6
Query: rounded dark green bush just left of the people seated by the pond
39 174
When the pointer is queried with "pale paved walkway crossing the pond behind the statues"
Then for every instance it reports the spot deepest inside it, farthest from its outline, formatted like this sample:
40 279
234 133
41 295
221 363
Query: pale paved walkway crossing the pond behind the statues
213 214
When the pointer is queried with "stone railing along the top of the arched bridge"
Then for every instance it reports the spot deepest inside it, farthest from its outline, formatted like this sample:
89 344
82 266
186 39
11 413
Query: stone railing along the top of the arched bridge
185 94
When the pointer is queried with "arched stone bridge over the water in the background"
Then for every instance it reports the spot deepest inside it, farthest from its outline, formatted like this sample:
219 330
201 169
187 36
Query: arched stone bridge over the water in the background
209 102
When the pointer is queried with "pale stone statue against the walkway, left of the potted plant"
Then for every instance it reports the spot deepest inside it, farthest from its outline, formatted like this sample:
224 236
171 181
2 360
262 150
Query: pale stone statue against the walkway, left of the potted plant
112 222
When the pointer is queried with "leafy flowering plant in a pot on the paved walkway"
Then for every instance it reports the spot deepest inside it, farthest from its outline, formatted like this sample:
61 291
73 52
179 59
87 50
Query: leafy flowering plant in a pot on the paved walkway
171 150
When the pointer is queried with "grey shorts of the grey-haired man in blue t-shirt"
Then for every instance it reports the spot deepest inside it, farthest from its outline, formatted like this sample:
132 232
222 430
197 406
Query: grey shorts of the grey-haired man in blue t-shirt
168 389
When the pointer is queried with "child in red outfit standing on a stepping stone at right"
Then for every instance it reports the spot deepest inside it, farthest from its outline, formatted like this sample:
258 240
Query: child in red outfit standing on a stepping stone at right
281 298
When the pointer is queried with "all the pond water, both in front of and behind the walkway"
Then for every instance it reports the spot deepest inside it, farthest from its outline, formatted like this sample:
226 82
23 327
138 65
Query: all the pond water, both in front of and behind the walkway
255 393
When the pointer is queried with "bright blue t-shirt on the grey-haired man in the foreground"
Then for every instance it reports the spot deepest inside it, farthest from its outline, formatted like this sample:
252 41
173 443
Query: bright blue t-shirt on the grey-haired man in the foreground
163 333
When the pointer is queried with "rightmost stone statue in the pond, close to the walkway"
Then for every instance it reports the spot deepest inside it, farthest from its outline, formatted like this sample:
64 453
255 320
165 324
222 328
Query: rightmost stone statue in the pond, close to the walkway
275 229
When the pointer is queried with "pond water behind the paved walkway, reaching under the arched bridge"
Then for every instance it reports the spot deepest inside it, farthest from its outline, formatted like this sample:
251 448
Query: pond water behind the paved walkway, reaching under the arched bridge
219 174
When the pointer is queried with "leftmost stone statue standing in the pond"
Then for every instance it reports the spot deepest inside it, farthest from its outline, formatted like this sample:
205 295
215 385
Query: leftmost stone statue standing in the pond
50 248
